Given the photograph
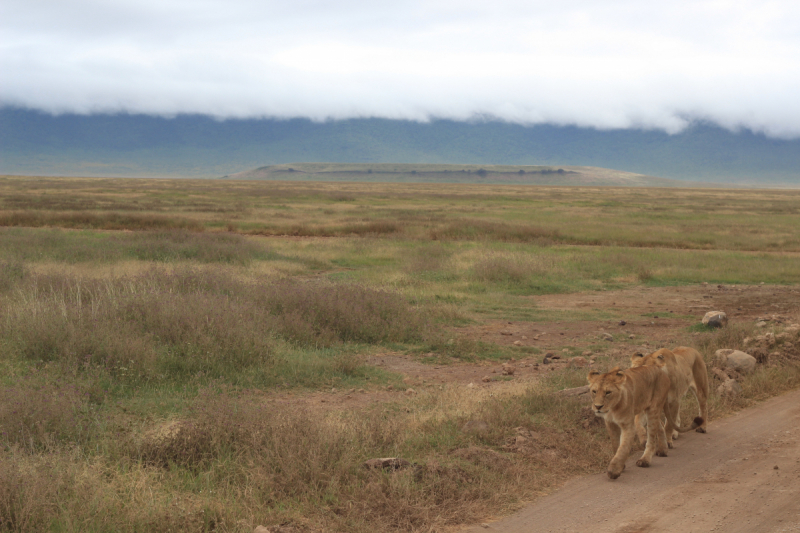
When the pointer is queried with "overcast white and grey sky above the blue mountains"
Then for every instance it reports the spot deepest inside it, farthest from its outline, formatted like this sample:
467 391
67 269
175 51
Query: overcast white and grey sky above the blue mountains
599 63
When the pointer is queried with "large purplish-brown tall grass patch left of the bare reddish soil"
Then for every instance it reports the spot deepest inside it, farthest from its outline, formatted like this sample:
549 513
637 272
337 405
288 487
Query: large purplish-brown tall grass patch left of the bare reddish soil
173 324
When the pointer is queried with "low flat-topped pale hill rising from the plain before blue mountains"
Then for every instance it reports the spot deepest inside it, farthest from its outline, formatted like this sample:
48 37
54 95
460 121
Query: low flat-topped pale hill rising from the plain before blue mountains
425 173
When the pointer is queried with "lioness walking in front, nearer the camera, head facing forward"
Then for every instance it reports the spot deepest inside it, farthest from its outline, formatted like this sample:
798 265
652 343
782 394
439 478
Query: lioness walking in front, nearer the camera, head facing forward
618 396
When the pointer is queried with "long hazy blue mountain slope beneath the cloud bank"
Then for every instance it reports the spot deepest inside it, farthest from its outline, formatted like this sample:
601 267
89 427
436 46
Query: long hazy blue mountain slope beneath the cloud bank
200 146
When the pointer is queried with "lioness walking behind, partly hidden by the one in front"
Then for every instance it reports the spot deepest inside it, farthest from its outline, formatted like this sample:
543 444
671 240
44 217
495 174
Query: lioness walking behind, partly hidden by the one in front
687 371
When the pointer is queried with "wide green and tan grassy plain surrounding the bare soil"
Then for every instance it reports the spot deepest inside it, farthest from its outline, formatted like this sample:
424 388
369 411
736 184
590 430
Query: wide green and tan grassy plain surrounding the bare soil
158 337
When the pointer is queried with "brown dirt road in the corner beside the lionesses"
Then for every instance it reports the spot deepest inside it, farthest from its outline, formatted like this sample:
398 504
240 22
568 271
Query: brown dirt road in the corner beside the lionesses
742 476
